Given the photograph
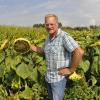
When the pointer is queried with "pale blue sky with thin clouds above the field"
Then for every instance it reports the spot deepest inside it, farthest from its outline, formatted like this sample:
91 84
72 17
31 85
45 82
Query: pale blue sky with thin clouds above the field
30 12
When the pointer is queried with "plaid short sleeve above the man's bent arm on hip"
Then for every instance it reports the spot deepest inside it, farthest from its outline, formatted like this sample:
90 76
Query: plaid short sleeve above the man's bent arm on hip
69 43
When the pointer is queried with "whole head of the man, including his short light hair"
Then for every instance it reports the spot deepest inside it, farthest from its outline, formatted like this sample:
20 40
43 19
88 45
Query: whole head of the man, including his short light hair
51 24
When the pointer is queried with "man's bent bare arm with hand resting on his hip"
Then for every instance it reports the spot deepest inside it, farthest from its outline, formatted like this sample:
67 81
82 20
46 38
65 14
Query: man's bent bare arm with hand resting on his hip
76 58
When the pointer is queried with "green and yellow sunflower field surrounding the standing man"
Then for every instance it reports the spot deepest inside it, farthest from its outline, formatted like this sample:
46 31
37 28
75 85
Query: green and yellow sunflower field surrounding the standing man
22 75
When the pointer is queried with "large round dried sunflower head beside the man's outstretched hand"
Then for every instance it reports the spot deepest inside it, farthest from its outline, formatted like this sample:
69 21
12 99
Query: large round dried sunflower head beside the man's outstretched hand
21 45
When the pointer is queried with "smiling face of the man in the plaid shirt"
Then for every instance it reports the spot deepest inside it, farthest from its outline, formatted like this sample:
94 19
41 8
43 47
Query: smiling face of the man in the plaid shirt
51 25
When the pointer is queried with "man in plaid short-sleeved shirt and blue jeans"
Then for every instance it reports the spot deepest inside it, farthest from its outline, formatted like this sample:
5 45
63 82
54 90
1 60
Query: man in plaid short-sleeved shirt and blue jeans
62 55
